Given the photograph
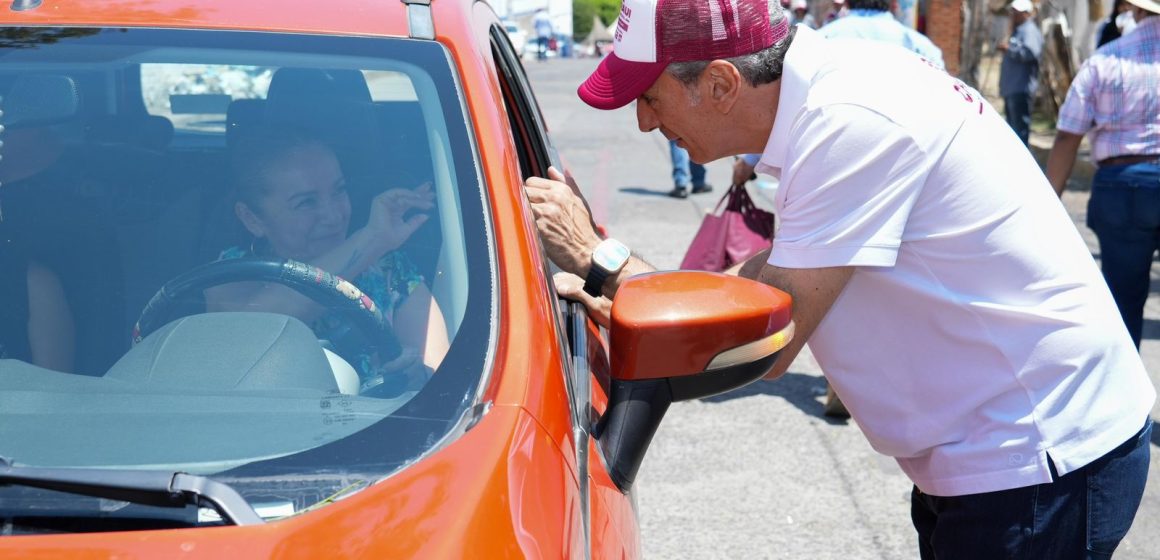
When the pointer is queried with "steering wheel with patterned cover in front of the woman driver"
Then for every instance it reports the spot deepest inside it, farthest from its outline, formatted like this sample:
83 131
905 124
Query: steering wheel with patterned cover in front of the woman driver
359 311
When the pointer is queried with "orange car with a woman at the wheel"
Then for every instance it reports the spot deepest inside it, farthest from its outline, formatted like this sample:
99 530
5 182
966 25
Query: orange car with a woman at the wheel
184 370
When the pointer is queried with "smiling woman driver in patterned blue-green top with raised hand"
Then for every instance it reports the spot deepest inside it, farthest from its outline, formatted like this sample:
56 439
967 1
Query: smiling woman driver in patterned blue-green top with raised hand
292 198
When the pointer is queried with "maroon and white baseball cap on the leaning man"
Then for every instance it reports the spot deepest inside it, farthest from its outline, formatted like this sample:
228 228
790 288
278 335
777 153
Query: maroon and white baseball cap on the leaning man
652 34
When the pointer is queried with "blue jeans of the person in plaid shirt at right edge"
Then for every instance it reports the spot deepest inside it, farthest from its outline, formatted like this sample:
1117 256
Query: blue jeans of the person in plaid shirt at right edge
1125 214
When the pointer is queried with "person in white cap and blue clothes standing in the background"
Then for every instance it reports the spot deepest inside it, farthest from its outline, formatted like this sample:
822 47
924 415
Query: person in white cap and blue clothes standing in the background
1019 76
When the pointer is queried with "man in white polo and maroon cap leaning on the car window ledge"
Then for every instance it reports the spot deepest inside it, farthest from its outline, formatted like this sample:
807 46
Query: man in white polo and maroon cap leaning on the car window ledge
994 368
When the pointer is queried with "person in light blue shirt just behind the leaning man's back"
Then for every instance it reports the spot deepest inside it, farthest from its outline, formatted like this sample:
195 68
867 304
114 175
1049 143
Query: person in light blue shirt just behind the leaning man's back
873 20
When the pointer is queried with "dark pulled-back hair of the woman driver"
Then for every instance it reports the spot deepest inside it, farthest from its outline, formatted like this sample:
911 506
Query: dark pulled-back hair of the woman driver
263 149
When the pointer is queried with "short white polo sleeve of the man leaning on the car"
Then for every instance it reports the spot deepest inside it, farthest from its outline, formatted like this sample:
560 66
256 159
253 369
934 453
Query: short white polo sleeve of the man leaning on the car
851 179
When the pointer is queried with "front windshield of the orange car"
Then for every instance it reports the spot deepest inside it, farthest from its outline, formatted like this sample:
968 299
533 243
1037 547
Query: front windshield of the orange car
258 258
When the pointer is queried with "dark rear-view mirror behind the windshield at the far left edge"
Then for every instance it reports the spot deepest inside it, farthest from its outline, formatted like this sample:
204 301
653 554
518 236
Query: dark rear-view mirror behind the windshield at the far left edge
40 99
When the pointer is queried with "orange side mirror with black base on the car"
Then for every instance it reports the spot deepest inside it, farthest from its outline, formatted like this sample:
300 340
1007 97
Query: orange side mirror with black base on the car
684 336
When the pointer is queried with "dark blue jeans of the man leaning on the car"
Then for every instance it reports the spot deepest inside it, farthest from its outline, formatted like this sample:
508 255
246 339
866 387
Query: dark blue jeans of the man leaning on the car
1082 515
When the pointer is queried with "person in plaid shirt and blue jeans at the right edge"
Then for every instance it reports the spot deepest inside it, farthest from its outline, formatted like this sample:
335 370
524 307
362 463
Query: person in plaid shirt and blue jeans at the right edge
1115 99
